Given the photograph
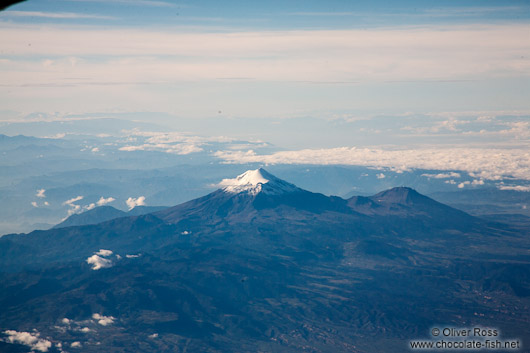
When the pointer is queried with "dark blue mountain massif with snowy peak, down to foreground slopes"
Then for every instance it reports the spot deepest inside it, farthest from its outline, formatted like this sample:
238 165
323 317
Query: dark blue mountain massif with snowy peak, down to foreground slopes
263 265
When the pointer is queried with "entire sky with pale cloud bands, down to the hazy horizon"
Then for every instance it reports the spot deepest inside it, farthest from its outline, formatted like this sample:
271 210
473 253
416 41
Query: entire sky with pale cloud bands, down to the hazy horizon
242 67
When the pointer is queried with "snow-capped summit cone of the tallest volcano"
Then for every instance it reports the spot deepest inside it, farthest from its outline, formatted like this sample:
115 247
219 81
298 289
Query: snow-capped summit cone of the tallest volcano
256 181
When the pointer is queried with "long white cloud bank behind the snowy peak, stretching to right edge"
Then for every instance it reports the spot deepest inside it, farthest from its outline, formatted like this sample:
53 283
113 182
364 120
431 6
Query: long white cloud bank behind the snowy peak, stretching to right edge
482 163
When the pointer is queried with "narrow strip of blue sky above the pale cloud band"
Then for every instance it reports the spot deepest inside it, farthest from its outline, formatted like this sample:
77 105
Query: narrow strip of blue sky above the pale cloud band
275 14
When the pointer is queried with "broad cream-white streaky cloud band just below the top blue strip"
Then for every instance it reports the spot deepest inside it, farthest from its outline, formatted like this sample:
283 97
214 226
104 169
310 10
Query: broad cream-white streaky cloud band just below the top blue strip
314 55
